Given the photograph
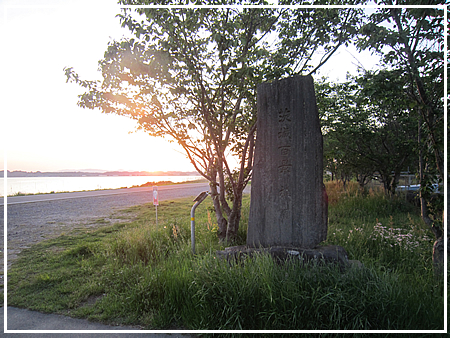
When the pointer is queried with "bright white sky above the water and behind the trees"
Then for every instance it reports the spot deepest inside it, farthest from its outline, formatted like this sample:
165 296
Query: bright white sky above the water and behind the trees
43 129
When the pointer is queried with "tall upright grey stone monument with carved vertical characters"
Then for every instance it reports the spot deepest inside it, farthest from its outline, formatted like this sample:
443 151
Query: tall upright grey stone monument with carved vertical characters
288 199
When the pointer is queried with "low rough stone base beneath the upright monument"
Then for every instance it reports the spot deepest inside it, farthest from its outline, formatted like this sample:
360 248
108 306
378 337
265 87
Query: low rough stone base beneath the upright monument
331 254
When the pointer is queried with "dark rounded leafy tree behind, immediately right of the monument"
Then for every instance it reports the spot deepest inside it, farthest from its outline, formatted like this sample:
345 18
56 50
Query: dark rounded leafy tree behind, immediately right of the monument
368 128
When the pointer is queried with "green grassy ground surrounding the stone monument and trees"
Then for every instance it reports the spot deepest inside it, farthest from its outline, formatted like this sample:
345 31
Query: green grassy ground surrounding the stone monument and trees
135 273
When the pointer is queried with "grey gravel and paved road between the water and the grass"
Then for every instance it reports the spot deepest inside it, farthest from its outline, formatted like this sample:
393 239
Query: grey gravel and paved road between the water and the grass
32 219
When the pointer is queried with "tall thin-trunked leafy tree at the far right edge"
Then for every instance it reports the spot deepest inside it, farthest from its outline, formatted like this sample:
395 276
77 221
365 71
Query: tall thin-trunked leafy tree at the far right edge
411 40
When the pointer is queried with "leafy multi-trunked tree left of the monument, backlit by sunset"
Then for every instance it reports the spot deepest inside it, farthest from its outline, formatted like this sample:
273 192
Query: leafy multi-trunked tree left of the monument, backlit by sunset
190 75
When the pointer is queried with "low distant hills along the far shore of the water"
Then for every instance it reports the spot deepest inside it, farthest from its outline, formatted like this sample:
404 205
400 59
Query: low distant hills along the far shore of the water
107 173
